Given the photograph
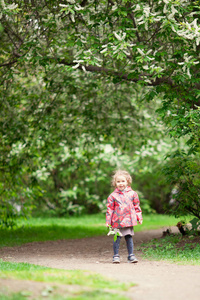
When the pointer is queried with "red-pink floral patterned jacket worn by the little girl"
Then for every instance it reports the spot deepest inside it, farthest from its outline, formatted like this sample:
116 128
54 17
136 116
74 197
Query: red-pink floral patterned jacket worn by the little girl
123 208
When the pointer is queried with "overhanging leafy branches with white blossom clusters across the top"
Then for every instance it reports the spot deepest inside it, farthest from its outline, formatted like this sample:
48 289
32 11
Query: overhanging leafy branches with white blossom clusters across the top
152 43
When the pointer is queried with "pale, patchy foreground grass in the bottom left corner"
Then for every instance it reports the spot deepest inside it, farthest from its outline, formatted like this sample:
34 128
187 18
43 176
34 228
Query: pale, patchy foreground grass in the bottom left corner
98 286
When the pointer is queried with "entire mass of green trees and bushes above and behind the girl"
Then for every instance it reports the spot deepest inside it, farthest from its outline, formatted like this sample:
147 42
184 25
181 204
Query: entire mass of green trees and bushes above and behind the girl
91 86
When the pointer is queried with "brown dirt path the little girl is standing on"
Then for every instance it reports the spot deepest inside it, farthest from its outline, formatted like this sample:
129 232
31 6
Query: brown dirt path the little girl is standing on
155 280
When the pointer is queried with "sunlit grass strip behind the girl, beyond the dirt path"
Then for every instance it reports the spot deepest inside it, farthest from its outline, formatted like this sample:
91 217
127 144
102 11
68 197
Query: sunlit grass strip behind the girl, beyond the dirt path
46 229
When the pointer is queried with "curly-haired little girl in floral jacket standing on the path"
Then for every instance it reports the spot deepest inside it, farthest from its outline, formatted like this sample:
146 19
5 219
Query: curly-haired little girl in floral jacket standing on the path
123 212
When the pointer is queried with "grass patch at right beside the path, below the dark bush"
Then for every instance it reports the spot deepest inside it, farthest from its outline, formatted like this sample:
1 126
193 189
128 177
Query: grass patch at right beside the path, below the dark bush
174 249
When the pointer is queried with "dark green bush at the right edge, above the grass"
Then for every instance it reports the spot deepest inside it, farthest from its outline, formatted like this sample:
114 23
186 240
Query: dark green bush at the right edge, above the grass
182 172
